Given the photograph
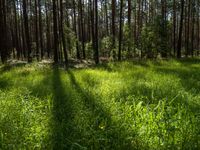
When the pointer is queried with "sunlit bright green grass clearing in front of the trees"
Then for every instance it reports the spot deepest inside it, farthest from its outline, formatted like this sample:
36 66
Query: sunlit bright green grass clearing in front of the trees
123 105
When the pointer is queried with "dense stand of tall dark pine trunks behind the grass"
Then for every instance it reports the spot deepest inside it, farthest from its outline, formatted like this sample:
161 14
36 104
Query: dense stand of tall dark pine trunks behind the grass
98 29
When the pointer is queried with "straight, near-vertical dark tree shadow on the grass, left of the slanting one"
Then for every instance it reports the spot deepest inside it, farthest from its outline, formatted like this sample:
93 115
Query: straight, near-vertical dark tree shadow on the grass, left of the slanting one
62 113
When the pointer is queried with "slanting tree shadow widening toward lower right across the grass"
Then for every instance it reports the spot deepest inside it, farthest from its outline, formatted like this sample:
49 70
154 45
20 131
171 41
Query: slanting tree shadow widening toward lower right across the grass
113 136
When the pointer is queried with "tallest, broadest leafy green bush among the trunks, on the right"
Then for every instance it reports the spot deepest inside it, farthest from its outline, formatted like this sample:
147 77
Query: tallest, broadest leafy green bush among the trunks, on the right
155 38
